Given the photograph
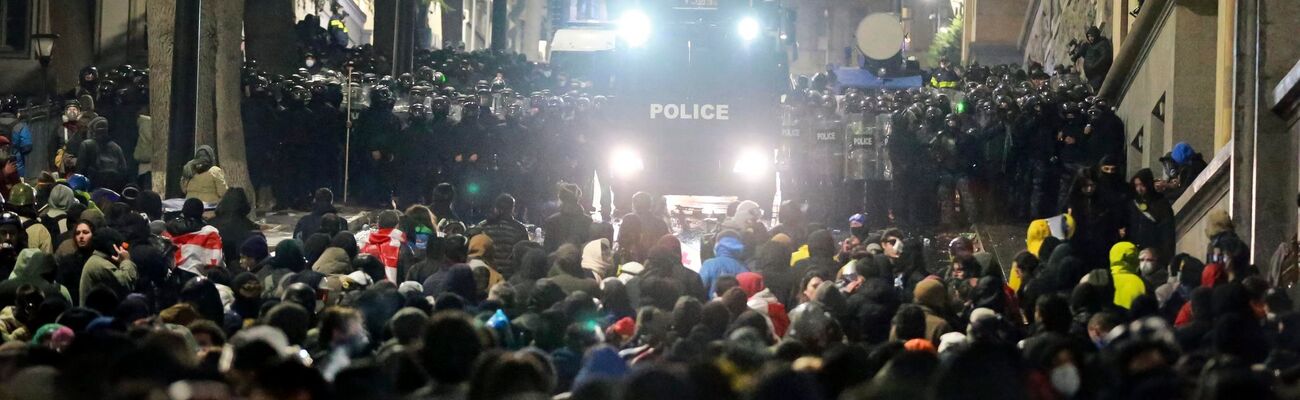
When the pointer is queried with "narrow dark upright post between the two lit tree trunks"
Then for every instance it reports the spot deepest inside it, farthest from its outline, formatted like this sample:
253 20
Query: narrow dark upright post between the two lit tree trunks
206 124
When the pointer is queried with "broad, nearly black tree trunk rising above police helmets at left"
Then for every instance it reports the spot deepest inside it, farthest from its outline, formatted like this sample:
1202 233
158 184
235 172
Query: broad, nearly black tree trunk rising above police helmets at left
271 37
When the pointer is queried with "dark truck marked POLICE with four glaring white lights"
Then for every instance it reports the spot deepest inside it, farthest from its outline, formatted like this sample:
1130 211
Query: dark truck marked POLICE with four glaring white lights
695 92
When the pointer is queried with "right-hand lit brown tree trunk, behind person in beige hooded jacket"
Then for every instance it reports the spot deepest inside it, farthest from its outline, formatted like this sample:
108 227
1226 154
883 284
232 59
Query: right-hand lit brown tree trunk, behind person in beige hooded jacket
229 123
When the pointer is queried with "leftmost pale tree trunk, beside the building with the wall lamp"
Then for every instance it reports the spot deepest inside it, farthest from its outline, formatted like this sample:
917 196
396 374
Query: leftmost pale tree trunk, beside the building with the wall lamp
162 21
